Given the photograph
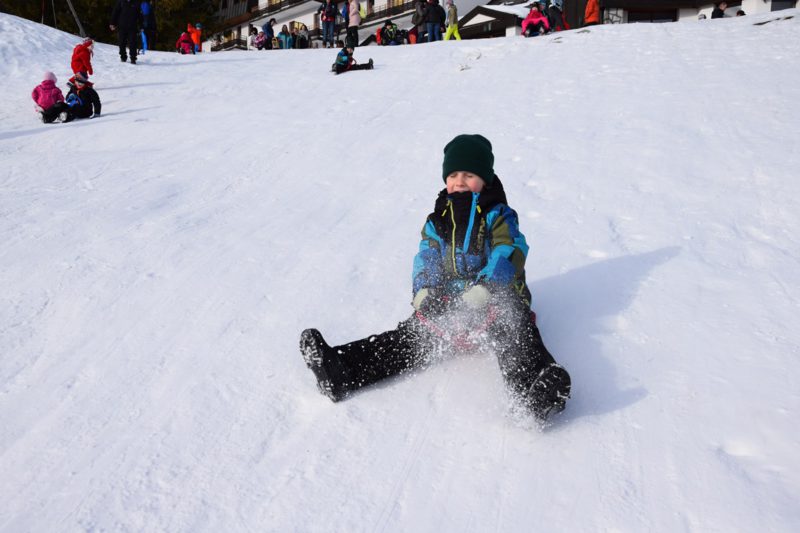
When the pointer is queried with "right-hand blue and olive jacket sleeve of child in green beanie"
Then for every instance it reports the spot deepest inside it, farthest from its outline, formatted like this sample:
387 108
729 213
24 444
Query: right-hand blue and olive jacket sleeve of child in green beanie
506 263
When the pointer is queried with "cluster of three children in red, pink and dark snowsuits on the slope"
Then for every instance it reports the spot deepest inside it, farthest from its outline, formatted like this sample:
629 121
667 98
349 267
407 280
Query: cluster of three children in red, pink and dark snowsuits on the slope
82 101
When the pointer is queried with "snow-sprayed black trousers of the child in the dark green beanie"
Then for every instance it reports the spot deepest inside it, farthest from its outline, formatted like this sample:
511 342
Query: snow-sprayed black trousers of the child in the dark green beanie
520 351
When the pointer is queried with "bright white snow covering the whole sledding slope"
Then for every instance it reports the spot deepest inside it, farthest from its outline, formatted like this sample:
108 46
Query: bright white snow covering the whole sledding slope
157 265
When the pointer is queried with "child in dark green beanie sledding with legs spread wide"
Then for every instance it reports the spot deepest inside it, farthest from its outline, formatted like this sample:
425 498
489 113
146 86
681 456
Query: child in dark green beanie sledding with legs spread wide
469 291
